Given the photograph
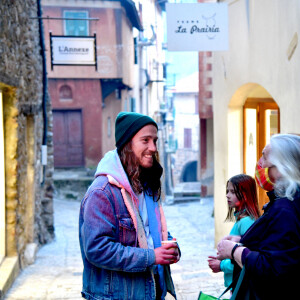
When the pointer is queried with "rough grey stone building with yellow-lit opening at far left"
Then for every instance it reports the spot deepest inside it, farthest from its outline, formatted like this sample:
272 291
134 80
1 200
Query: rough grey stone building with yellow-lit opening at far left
26 211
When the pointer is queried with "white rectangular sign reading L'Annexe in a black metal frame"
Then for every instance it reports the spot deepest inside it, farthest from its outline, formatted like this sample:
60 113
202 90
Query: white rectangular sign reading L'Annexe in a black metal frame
73 50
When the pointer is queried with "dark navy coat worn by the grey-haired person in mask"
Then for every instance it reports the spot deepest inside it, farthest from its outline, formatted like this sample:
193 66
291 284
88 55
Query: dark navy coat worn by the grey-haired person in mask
273 264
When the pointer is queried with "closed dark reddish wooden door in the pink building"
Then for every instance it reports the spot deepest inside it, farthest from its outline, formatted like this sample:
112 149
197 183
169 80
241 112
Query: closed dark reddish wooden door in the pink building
67 138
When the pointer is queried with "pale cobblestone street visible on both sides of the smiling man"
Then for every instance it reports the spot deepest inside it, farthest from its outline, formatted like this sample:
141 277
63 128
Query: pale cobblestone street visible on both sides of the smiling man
56 273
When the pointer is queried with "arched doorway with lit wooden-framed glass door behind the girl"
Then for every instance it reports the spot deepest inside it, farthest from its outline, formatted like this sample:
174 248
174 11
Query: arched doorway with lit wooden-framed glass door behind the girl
253 117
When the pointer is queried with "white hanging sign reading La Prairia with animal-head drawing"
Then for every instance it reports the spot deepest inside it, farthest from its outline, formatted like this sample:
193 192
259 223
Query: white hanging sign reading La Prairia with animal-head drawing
197 26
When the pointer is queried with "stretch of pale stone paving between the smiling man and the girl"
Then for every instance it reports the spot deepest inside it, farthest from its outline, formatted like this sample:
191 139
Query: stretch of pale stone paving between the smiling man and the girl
193 226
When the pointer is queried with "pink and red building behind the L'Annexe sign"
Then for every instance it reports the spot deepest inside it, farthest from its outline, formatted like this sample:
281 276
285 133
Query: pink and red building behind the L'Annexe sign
86 98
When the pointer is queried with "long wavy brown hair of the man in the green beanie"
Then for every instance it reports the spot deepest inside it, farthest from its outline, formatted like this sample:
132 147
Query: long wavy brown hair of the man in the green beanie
141 179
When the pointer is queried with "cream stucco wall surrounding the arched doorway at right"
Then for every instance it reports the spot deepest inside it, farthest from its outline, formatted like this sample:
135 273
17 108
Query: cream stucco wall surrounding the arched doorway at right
258 64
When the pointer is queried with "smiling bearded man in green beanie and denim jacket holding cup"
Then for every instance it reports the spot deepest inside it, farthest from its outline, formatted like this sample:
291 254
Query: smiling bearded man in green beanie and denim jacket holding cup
121 222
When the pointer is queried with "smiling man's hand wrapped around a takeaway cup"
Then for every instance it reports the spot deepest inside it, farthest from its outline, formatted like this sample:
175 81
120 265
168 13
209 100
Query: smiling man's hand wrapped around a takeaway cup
166 254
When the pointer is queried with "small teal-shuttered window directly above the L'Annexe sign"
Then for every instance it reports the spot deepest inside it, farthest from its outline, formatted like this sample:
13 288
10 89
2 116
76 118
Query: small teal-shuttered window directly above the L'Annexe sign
76 27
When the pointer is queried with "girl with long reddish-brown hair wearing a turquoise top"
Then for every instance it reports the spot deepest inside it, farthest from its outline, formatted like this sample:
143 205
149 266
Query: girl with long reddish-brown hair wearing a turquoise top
242 202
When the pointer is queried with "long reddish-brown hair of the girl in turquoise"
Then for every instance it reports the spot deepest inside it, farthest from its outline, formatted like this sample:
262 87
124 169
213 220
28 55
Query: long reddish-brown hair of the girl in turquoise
244 187
